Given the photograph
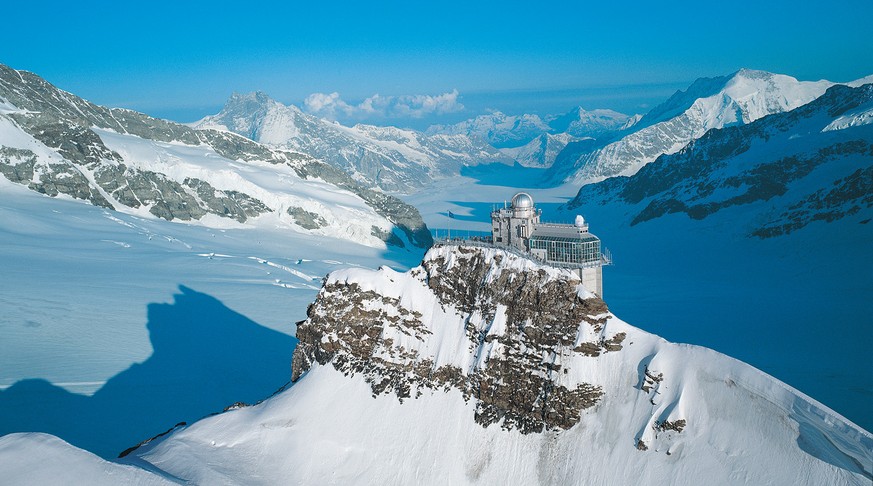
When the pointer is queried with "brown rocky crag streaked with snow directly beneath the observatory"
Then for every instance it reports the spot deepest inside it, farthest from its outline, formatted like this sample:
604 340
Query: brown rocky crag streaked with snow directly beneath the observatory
516 325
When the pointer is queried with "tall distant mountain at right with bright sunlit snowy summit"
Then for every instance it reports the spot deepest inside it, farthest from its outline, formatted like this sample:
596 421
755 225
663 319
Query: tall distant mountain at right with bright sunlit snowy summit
737 99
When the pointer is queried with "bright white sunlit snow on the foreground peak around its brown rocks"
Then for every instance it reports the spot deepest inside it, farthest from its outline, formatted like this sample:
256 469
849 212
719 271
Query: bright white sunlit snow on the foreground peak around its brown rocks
743 427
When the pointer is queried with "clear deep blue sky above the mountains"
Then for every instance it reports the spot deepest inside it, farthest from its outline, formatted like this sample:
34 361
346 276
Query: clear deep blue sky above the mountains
181 60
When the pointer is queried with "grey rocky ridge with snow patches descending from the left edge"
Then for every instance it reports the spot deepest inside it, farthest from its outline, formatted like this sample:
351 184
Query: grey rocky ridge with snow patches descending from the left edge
68 154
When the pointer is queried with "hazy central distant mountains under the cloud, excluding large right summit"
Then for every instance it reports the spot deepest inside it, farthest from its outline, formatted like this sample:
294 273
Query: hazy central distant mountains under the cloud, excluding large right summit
402 160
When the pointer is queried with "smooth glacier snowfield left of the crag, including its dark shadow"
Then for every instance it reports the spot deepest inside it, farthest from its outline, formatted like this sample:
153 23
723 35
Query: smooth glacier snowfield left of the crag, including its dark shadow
116 327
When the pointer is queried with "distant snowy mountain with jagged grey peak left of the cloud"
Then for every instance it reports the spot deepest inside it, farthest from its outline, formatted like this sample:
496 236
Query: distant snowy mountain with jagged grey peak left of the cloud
391 158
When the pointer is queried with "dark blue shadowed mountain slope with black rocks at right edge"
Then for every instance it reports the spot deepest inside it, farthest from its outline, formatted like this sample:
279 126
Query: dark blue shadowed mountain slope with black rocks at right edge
813 163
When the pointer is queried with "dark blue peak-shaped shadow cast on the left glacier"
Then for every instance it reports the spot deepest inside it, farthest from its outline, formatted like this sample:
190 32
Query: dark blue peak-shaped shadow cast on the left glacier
206 357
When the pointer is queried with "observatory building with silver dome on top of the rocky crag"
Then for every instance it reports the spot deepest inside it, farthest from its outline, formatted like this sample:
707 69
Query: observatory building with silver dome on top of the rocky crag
562 245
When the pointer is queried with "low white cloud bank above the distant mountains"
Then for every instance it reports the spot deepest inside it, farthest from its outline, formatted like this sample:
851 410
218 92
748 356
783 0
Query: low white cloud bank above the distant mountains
332 106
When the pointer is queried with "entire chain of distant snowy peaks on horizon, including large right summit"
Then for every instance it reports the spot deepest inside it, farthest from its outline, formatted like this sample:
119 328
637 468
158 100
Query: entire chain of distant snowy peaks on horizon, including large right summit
577 147
